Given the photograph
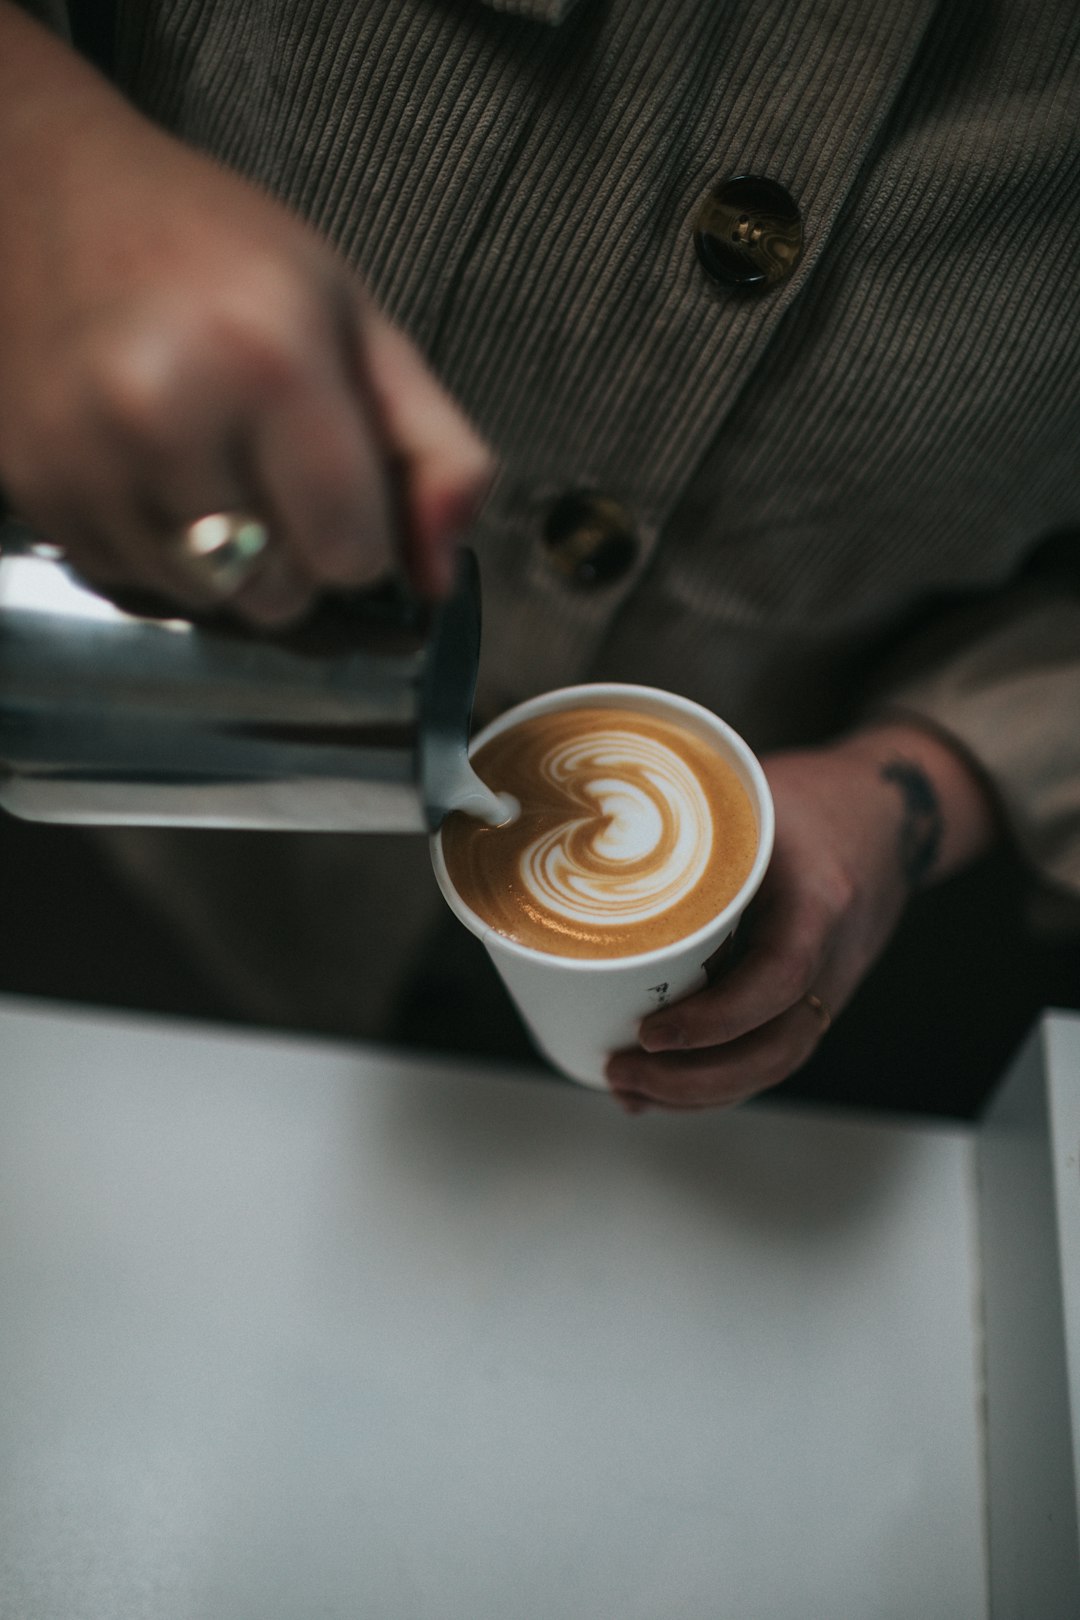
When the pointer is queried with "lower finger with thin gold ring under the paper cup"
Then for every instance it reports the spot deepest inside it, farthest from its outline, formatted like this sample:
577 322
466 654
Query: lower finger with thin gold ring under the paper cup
720 1075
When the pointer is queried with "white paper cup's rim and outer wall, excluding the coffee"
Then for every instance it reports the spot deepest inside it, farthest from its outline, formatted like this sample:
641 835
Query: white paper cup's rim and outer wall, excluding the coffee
582 1010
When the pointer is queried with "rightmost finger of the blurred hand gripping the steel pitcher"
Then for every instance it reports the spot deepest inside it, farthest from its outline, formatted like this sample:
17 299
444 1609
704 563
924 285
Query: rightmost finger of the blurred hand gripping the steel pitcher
446 467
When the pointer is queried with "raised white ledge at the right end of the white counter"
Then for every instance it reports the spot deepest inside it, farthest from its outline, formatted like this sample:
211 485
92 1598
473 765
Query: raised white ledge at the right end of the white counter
1029 1214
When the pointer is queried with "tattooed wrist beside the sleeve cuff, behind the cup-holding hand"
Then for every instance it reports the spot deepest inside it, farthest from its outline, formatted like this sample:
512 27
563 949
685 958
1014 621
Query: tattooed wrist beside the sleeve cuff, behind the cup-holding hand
946 811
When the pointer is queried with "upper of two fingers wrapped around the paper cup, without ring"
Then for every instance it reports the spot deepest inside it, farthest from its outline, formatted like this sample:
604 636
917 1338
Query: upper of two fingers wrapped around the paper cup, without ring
783 961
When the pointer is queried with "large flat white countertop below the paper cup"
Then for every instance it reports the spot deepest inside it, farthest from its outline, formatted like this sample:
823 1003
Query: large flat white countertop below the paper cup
299 1332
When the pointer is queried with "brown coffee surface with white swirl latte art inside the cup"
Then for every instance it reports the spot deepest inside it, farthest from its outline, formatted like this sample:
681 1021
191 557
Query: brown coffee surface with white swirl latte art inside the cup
634 833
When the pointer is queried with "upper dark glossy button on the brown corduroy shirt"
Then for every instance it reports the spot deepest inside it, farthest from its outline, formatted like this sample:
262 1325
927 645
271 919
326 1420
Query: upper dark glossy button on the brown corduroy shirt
749 232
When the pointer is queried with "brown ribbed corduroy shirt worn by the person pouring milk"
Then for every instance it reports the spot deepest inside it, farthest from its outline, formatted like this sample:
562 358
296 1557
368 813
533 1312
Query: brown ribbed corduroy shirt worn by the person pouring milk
836 484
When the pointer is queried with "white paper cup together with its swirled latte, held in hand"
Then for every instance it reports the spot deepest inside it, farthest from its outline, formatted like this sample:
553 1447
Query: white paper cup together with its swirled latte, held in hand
645 829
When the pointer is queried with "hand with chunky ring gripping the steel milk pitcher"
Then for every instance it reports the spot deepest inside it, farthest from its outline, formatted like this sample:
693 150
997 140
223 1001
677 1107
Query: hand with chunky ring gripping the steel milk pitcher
174 344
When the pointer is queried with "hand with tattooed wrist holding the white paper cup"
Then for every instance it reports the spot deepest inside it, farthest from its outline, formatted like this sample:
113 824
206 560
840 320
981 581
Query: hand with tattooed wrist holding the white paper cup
859 825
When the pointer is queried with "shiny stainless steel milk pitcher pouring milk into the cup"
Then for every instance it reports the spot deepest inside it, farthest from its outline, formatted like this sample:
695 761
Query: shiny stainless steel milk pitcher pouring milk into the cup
357 722
